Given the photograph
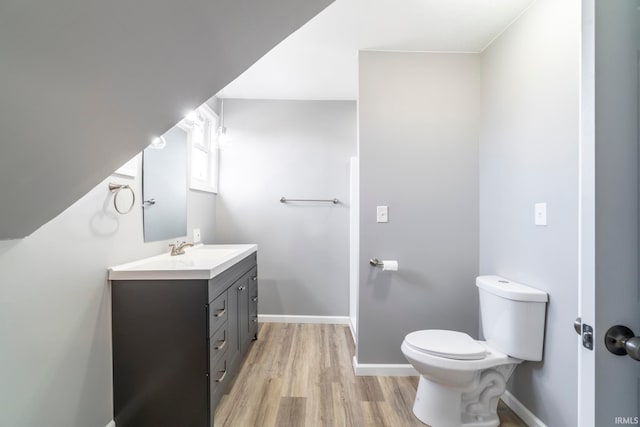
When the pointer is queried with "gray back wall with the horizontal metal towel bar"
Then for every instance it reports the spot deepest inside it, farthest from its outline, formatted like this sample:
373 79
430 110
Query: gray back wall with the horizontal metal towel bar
297 149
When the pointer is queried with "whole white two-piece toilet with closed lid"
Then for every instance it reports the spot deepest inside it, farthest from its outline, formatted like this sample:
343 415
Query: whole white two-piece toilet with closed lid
461 379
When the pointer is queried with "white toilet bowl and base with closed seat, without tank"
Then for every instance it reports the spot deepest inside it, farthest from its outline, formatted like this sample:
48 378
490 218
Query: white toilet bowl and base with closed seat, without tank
458 387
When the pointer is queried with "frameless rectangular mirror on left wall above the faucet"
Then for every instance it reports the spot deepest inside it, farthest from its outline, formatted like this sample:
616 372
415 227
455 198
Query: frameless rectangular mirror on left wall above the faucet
164 187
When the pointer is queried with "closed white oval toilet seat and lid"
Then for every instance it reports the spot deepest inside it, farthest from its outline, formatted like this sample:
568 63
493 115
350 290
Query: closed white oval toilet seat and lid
447 344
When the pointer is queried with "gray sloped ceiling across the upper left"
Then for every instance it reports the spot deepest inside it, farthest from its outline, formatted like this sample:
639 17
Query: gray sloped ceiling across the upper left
85 85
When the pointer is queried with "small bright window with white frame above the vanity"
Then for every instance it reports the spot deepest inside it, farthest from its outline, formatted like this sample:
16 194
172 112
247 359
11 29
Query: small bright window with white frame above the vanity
201 126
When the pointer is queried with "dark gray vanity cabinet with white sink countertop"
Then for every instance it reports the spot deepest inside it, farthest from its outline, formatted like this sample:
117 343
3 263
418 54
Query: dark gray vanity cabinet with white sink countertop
181 326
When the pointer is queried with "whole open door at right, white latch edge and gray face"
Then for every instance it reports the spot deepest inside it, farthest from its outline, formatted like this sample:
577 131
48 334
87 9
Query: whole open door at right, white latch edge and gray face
609 384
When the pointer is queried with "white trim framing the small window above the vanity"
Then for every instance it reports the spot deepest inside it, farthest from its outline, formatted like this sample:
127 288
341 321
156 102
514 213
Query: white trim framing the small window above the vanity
210 185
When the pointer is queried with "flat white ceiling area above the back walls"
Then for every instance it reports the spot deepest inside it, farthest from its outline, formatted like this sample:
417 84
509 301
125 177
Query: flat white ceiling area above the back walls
320 60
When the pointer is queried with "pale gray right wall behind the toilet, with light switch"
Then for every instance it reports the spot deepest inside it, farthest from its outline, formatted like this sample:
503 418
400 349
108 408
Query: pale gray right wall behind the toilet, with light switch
529 154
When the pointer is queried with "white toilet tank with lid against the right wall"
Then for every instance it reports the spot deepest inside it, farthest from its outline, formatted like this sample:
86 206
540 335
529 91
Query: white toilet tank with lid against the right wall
513 316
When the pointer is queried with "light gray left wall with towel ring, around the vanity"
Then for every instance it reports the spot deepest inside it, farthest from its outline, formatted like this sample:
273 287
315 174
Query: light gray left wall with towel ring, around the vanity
55 339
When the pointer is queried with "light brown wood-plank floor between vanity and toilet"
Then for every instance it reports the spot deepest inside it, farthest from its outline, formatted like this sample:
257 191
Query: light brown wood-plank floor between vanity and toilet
300 375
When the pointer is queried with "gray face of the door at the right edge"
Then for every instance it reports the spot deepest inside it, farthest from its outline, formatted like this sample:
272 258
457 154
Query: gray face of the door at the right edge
616 196
